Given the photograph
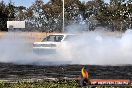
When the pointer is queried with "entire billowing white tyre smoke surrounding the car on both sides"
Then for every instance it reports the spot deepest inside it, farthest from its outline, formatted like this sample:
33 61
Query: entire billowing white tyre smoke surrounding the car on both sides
95 48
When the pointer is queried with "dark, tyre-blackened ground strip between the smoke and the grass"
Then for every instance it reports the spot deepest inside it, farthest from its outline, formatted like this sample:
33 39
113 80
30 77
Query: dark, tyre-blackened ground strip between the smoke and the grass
14 71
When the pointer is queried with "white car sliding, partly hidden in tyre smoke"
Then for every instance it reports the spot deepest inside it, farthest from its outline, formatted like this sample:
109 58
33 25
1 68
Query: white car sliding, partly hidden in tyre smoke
52 43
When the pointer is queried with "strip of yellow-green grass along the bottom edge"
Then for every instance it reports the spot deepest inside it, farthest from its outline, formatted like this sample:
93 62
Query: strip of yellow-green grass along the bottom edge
50 84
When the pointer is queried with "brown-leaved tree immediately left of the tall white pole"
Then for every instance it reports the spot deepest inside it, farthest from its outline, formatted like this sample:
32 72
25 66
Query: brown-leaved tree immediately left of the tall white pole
54 15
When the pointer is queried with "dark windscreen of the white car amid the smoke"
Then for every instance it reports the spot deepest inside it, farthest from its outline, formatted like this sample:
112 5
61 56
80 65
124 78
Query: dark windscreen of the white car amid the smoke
53 38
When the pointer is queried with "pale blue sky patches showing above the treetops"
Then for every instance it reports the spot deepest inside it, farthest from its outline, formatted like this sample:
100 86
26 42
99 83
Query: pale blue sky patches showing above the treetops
28 3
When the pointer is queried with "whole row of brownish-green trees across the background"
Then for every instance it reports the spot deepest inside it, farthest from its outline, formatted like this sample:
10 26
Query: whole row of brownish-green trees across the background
48 17
